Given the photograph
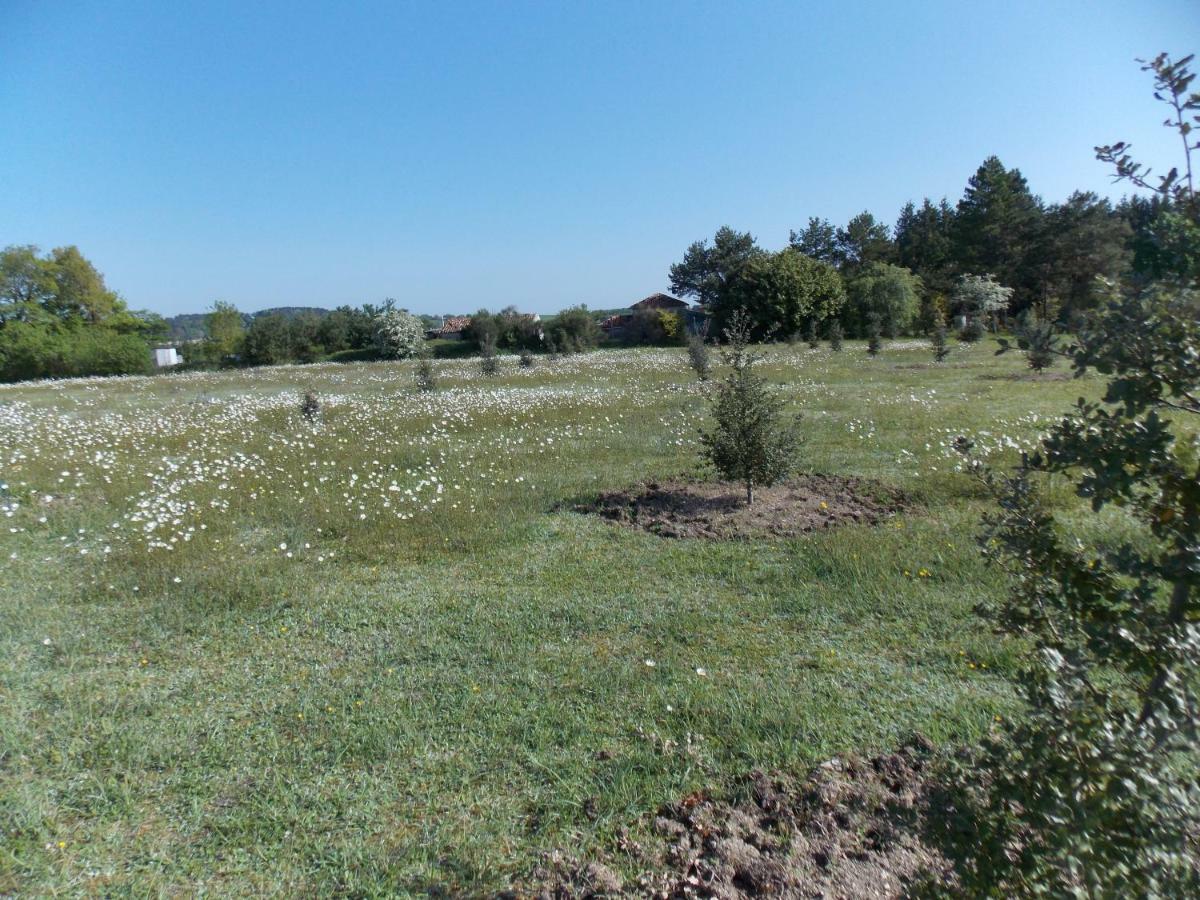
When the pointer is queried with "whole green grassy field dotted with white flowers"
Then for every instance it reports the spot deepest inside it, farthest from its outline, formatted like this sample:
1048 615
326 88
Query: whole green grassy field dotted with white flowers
381 655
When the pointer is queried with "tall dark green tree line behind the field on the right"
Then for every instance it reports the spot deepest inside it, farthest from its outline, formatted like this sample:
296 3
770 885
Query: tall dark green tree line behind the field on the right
914 275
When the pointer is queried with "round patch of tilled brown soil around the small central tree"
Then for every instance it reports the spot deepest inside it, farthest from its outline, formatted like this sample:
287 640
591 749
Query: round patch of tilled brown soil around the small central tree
718 511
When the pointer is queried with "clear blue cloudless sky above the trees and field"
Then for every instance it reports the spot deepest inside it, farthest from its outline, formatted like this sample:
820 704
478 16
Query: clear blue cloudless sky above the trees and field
459 155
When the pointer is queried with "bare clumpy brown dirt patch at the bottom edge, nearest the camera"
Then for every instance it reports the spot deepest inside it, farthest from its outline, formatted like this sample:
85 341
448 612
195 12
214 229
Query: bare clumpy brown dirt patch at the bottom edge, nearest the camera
848 831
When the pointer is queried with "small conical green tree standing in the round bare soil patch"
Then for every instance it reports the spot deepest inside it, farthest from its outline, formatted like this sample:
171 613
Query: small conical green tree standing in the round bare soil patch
749 442
